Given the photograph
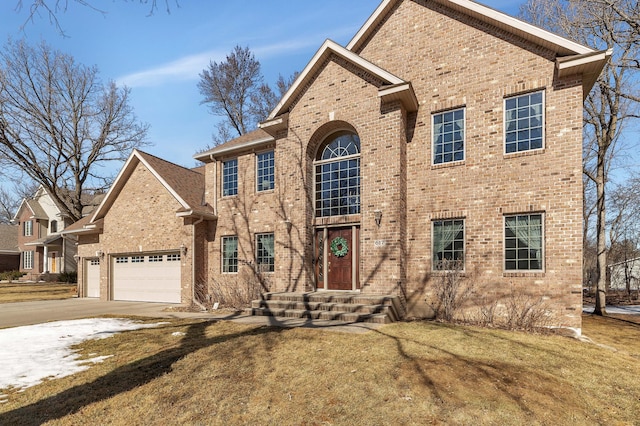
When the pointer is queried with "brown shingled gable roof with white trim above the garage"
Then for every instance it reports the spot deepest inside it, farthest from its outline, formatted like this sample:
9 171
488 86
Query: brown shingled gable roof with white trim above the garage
186 185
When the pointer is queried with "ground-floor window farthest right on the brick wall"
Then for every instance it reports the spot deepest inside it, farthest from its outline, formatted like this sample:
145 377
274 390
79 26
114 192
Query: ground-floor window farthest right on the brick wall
523 242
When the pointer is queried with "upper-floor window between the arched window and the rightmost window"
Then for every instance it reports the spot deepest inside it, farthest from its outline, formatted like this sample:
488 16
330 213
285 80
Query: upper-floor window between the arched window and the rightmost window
448 136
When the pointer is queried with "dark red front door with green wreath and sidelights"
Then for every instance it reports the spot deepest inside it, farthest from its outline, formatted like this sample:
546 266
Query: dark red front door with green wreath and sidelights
337 258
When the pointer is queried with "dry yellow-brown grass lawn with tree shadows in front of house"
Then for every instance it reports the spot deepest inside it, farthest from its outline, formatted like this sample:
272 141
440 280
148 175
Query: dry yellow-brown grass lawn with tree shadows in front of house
404 373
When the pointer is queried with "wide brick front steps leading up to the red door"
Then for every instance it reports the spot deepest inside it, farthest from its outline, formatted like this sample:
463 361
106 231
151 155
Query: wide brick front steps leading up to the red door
332 306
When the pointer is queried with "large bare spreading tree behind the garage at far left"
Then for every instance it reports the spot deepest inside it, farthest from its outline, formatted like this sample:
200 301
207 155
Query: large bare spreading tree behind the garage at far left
60 126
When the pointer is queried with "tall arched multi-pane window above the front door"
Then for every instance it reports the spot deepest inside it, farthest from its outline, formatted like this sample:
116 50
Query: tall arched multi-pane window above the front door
338 176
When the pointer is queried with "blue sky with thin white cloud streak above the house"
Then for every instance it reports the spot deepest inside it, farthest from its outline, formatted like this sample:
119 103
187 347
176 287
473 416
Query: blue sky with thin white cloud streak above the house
160 56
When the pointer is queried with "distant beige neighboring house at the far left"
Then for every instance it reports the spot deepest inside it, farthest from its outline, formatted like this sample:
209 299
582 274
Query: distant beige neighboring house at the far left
43 247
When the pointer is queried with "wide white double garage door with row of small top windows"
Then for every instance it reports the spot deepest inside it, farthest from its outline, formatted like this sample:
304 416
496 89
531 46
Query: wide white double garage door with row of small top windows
148 277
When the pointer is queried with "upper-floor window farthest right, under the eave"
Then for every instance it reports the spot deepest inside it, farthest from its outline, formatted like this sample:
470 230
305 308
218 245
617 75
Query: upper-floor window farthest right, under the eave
523 122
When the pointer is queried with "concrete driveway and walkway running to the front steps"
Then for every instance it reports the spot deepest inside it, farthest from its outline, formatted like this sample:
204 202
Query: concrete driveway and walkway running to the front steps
29 313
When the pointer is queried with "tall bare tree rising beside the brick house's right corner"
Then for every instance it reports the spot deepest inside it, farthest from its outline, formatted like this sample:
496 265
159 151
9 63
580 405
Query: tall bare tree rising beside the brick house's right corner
613 100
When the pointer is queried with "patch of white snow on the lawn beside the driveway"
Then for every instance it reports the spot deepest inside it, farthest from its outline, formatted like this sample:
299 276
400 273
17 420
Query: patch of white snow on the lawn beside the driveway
32 353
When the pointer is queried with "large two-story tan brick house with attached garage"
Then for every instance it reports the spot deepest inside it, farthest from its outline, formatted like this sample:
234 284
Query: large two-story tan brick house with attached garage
445 130
